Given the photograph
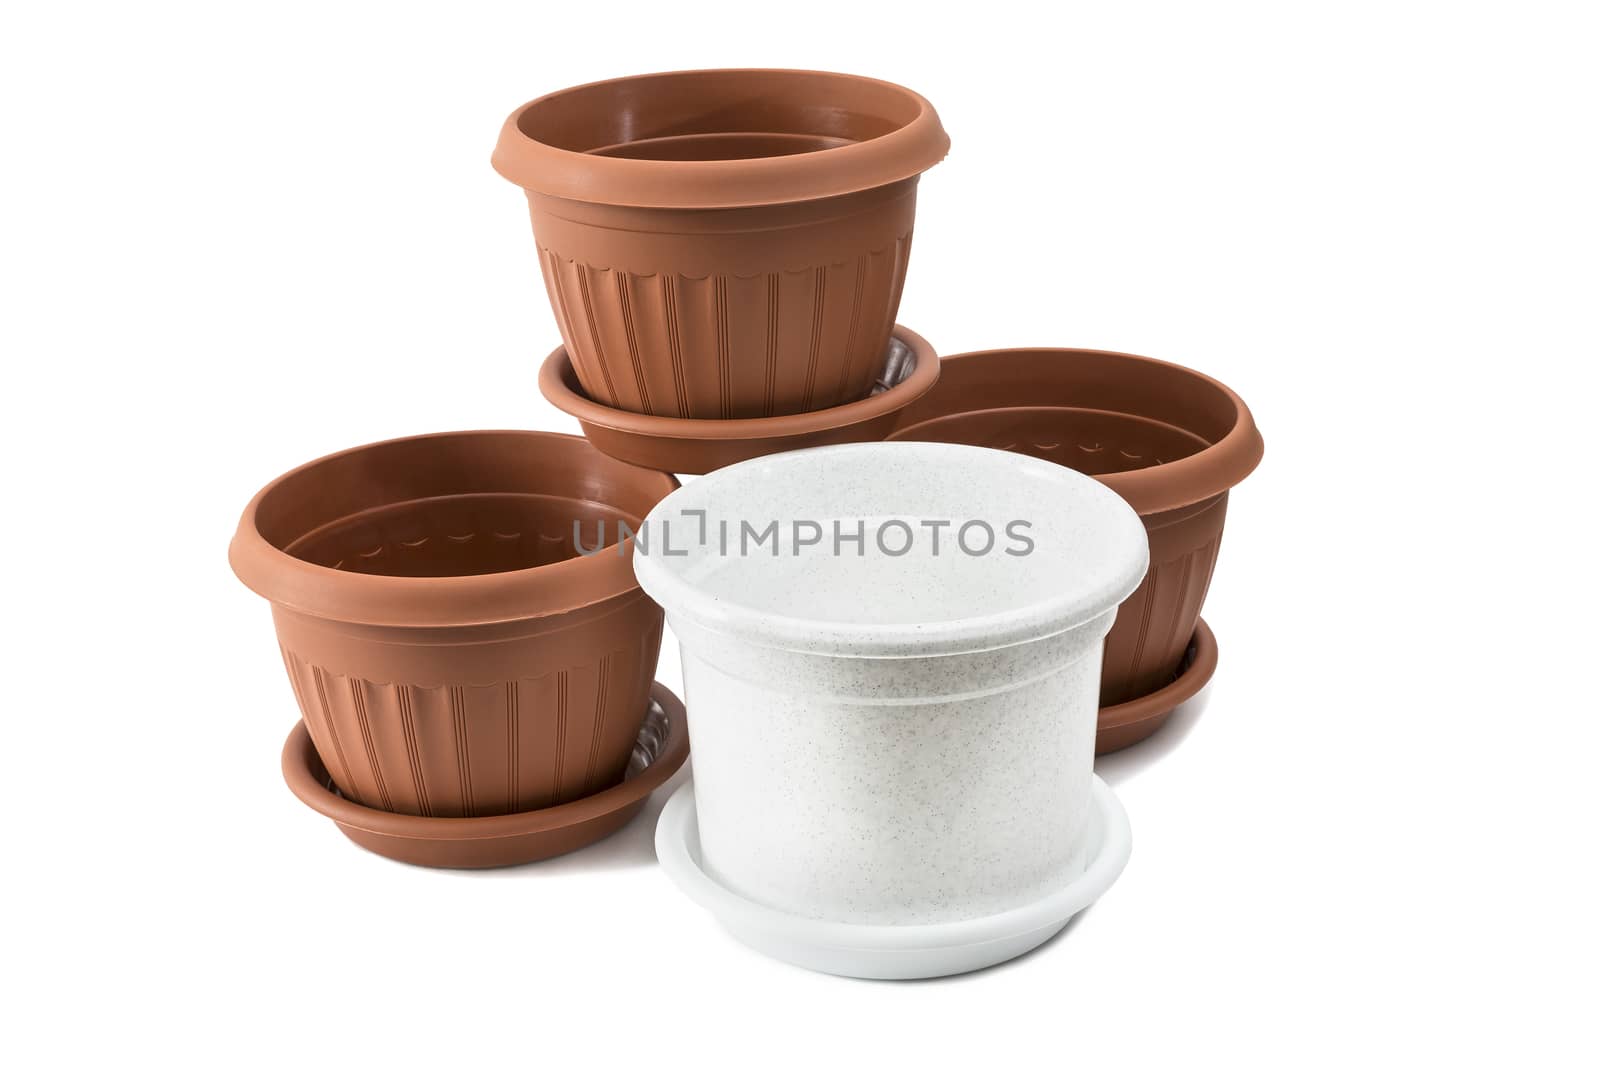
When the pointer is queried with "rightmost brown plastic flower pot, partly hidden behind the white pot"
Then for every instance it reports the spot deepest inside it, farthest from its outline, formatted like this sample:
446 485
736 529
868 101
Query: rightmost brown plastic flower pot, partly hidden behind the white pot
1170 441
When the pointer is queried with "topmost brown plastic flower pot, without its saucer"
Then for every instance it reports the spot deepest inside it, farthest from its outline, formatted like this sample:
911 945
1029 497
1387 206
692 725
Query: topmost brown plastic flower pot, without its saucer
724 244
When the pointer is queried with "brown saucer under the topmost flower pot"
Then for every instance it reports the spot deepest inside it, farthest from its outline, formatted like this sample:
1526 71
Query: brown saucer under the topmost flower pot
703 446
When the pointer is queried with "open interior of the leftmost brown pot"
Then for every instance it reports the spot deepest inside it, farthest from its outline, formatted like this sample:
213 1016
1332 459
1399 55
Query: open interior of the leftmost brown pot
457 505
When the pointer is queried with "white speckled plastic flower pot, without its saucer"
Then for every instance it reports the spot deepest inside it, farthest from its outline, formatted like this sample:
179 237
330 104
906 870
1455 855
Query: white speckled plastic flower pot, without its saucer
898 727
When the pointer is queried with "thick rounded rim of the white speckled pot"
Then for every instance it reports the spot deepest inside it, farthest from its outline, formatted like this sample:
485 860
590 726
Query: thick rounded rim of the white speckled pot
1121 548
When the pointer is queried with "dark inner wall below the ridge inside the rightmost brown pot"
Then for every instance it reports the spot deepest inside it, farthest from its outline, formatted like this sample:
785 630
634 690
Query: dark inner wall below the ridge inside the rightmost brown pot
1084 439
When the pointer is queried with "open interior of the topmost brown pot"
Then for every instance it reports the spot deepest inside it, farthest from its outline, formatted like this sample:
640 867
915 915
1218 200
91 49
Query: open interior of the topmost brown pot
719 114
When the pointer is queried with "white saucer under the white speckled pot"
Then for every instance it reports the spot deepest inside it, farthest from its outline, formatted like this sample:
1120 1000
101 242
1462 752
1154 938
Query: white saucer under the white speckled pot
929 951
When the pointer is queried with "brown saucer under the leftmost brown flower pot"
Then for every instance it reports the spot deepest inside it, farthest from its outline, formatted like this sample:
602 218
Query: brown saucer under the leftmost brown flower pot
500 841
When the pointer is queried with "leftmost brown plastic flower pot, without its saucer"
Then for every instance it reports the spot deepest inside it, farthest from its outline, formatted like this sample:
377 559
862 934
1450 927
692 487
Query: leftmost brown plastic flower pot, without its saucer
452 650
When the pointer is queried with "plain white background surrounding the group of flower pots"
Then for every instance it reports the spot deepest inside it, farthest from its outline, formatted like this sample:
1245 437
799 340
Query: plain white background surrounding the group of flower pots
242 236
